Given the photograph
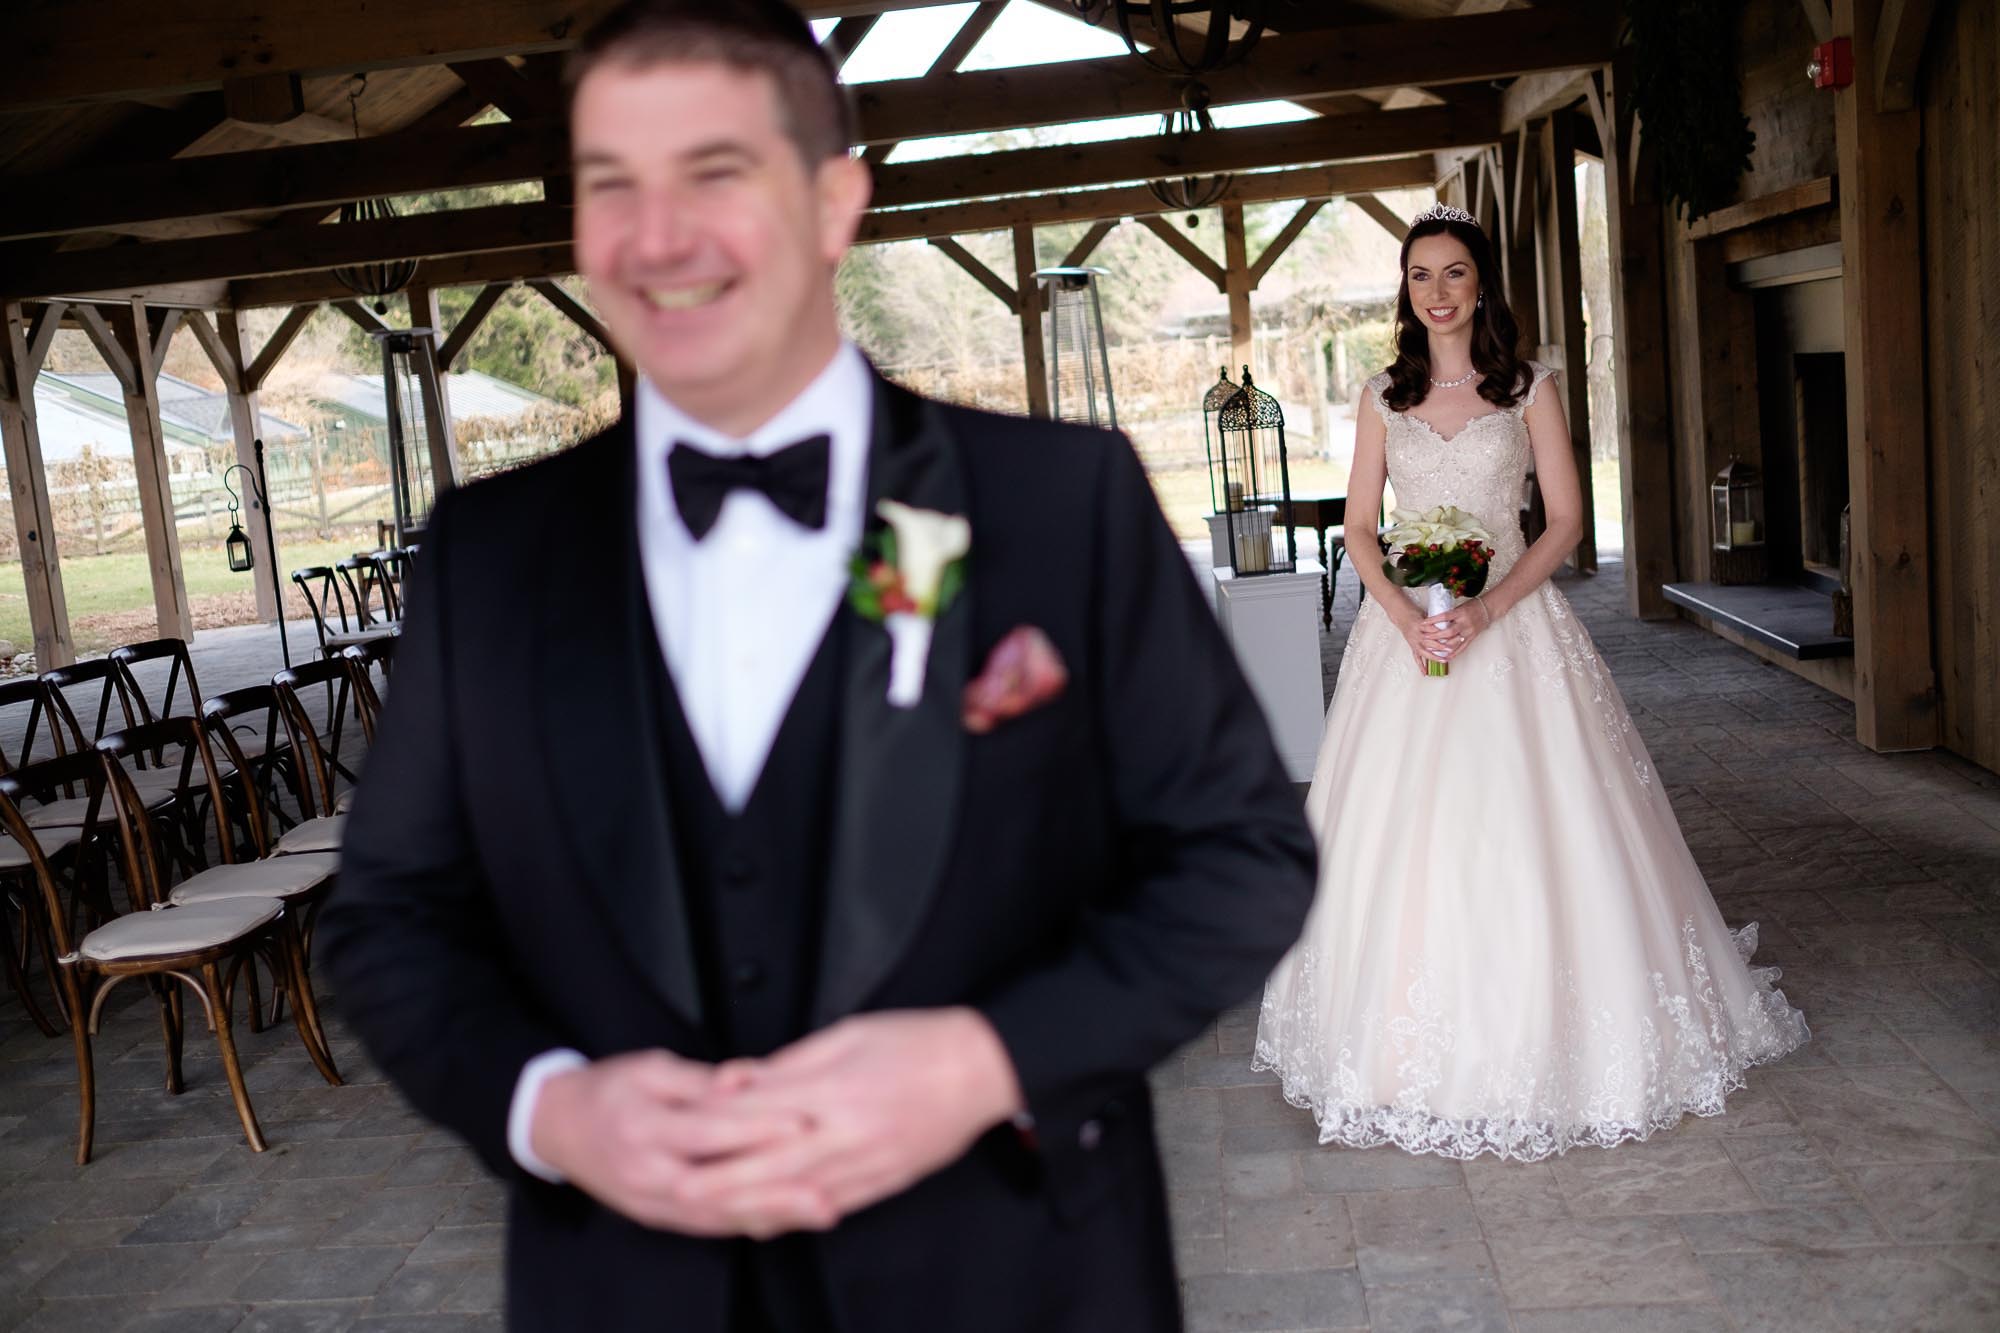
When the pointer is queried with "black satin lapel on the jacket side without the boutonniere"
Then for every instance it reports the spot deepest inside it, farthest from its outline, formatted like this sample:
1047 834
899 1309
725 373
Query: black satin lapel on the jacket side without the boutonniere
599 728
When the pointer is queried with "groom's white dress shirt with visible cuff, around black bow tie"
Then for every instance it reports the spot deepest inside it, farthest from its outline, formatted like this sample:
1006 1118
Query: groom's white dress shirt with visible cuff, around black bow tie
743 611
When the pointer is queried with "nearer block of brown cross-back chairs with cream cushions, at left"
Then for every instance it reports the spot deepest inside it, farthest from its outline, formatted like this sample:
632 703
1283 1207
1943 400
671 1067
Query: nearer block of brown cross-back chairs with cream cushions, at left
143 804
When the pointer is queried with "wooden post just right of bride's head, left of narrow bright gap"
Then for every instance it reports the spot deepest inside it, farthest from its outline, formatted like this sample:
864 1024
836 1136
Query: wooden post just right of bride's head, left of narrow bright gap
1565 345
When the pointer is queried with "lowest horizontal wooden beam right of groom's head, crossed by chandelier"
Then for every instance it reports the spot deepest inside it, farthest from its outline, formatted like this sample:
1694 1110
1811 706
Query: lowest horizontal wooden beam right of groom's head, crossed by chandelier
1139 201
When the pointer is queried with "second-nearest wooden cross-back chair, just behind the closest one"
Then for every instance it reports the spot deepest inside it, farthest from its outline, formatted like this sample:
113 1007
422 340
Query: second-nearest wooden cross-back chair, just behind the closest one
297 882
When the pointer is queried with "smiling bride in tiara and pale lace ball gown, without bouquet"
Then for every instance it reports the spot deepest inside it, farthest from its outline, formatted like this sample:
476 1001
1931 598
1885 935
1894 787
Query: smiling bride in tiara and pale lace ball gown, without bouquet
1513 950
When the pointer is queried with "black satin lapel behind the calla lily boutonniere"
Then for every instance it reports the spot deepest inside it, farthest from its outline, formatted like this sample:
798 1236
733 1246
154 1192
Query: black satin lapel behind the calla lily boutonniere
901 772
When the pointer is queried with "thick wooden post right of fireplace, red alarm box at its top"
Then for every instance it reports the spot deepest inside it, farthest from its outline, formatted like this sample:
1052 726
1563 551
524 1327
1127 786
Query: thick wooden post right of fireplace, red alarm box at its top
1881 255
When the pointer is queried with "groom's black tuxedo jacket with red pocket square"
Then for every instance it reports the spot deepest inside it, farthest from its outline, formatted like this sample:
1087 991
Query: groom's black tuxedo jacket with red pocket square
1099 878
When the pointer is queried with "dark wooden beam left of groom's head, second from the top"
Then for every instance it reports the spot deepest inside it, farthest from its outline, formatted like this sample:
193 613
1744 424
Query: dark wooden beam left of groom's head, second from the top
267 179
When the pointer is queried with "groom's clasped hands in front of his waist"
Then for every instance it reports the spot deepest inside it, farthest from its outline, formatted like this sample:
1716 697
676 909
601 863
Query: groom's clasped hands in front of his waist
793 1142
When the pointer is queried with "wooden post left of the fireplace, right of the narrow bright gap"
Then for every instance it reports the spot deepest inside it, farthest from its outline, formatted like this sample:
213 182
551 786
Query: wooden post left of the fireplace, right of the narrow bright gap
1639 359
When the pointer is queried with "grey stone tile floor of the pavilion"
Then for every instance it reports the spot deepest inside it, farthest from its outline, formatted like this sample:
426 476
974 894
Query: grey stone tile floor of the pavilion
1853 1188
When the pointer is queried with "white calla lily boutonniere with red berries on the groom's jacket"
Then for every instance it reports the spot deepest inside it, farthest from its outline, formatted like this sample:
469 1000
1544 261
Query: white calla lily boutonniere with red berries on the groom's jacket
903 579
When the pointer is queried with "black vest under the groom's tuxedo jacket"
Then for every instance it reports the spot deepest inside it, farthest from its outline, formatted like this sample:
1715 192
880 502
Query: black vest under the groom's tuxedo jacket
757 896
